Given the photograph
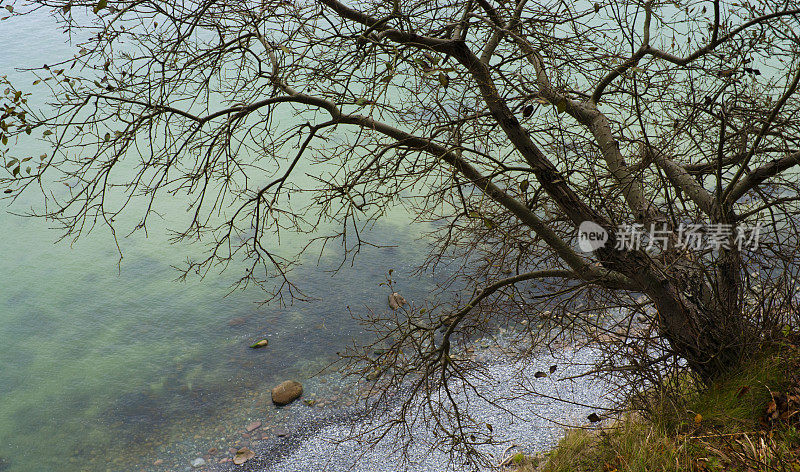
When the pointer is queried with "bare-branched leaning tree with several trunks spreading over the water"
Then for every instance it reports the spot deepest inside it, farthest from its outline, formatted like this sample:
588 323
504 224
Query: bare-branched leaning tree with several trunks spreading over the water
507 124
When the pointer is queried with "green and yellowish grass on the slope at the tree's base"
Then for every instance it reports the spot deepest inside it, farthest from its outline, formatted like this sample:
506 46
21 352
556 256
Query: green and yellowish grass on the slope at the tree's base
715 429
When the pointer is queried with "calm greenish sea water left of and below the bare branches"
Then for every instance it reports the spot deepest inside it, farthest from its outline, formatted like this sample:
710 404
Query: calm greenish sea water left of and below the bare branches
108 368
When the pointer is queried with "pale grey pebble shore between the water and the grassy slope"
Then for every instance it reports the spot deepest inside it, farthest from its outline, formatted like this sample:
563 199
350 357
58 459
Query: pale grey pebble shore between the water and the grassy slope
318 442
